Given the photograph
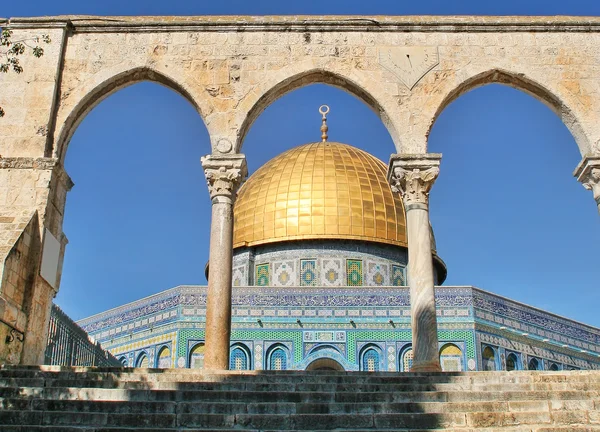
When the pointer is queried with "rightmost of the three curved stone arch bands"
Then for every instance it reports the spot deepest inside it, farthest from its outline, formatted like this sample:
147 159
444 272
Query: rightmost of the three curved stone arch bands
527 85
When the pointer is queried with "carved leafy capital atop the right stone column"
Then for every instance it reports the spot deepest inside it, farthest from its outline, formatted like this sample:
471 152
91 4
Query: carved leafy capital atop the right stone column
413 175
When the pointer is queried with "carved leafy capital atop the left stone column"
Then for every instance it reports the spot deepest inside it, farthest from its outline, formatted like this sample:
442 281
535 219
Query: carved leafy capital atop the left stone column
224 175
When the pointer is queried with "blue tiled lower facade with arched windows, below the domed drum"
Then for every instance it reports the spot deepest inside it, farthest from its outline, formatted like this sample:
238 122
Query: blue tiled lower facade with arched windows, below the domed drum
356 327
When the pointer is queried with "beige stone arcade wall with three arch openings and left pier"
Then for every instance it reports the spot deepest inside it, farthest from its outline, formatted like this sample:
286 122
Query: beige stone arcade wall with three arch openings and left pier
407 69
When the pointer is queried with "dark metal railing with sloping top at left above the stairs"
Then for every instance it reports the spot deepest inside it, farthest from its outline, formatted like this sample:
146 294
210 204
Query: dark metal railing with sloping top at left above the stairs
70 345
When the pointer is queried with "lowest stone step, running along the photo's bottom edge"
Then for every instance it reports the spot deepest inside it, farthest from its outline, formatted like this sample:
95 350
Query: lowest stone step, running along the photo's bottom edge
310 421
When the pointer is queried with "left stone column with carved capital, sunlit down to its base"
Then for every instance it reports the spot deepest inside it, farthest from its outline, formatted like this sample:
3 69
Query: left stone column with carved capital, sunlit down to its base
224 174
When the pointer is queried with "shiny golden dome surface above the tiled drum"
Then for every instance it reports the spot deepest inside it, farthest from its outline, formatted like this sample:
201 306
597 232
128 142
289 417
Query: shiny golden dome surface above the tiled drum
324 190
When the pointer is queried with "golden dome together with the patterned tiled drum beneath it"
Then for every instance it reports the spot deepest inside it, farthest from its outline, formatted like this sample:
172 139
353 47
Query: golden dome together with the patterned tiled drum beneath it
321 214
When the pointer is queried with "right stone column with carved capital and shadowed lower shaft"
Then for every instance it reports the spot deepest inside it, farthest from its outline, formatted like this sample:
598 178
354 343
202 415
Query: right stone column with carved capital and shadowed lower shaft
412 176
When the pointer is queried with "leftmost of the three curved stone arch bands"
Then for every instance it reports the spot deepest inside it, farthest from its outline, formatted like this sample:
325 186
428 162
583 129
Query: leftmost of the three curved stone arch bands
76 106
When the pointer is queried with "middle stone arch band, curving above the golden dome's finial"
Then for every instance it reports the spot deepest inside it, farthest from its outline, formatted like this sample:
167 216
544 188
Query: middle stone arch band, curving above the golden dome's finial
298 76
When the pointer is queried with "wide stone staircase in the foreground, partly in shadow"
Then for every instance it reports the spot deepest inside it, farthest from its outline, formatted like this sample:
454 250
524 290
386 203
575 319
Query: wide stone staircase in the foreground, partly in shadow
77 399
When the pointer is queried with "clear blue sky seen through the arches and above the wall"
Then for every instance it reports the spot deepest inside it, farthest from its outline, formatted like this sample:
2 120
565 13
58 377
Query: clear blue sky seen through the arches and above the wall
507 213
